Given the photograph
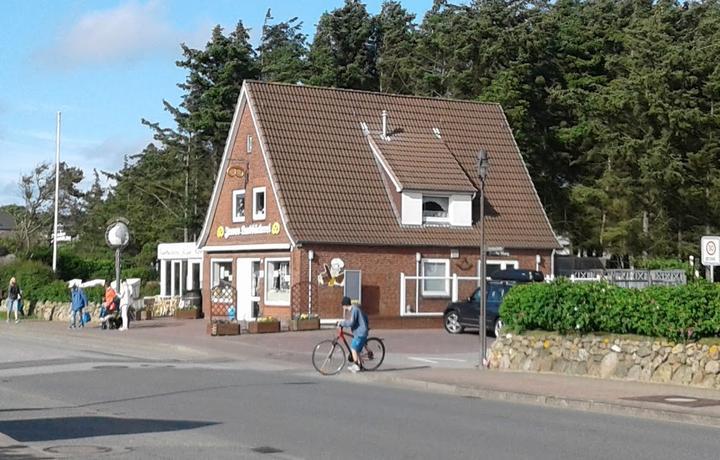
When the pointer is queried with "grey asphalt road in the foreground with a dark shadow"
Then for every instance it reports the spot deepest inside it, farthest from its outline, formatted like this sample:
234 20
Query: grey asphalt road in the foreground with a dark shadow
72 396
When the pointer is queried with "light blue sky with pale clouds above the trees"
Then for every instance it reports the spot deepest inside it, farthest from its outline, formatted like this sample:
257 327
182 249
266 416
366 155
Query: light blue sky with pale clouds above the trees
105 65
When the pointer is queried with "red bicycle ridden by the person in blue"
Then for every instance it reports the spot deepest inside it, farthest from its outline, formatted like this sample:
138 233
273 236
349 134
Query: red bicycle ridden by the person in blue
329 356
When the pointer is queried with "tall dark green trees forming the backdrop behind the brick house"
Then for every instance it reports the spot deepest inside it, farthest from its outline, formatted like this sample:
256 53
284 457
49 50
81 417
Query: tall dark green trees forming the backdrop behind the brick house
612 103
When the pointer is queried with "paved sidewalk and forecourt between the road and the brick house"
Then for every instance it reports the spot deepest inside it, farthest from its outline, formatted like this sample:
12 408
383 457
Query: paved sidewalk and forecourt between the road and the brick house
172 338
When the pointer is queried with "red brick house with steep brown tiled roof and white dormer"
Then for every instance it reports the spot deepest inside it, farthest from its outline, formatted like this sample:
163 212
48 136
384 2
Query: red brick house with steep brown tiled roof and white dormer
326 192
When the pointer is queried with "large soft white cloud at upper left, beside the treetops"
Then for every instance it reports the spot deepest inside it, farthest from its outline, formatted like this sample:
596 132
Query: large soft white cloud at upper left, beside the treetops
131 31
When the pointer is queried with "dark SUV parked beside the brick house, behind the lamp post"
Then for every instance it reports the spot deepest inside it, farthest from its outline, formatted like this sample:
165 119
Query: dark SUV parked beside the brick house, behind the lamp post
459 315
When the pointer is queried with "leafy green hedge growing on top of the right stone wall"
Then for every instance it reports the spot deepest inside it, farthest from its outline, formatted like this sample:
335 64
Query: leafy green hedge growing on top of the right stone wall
677 313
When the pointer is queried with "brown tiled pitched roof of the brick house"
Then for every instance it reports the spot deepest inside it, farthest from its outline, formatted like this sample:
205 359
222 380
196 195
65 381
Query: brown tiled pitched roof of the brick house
331 187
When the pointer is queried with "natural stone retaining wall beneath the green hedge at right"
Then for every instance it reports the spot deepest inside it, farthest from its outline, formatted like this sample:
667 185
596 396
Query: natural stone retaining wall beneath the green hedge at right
614 357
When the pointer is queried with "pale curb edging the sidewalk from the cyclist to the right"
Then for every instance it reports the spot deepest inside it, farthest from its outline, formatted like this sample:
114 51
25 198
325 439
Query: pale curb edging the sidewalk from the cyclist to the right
602 407
